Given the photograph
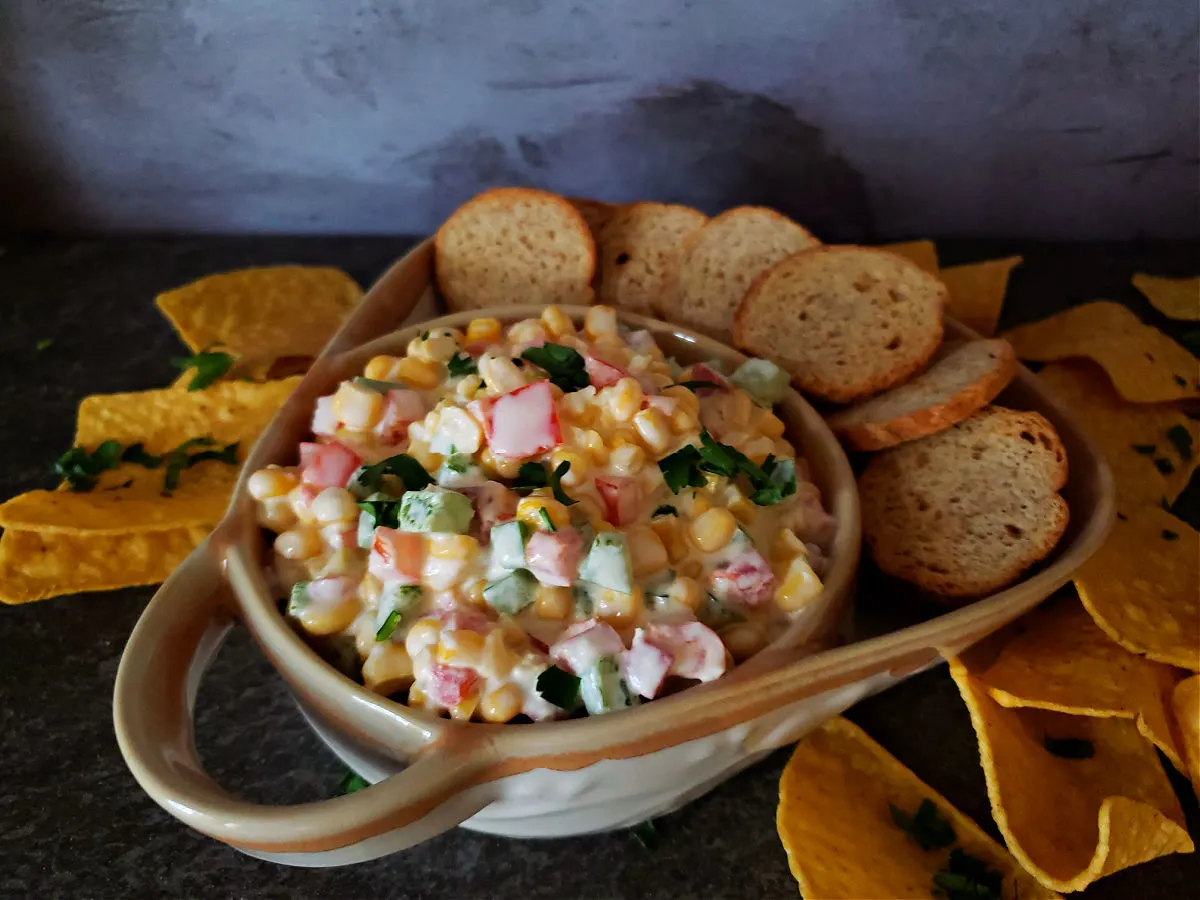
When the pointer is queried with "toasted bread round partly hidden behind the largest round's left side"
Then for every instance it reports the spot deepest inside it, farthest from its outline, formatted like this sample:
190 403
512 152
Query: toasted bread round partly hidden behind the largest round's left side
722 260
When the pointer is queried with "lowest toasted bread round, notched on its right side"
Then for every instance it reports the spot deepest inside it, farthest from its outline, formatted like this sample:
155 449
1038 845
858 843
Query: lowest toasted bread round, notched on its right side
963 513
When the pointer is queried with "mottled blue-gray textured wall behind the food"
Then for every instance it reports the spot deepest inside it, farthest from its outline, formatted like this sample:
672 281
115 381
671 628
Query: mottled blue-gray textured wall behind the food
878 118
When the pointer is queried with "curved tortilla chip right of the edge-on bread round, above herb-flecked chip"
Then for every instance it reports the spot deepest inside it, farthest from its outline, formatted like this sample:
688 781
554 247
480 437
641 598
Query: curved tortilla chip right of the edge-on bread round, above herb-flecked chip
1145 365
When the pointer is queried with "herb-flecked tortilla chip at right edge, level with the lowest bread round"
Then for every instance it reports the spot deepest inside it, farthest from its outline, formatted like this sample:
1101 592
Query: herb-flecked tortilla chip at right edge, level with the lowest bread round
1147 463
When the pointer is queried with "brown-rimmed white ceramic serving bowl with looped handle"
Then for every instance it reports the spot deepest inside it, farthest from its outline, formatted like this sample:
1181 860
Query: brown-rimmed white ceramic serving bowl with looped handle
545 779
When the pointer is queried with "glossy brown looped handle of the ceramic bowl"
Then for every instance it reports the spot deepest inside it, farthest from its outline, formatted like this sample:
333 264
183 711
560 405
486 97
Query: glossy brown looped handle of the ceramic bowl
175 640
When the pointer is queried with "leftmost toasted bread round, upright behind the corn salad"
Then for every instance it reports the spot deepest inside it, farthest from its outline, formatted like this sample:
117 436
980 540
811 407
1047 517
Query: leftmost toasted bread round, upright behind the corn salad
514 245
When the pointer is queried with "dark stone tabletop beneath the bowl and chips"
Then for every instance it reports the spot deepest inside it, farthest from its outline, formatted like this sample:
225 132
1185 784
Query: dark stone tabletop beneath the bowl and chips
75 825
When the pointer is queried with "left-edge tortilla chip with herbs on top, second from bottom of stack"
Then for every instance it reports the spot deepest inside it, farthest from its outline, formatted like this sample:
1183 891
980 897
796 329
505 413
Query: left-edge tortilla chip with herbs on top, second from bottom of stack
200 501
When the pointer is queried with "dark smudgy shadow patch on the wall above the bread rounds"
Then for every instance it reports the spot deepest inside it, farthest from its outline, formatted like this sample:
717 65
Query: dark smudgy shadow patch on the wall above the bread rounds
704 145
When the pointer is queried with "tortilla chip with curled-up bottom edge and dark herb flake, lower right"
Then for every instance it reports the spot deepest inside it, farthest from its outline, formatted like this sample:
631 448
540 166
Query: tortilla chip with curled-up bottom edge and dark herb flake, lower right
1099 803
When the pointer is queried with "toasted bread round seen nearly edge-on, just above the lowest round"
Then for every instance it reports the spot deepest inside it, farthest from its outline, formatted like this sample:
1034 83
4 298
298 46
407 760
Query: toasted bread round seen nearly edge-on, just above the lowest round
964 377
